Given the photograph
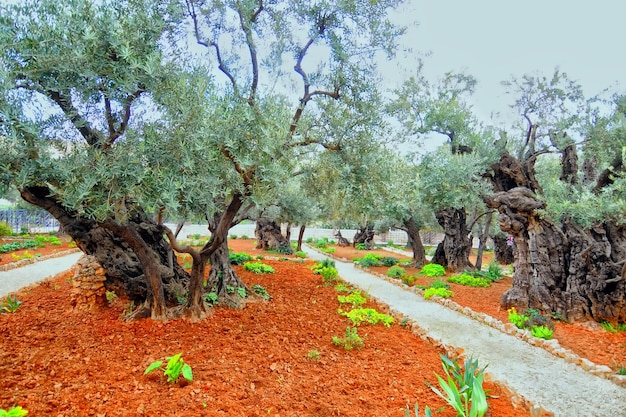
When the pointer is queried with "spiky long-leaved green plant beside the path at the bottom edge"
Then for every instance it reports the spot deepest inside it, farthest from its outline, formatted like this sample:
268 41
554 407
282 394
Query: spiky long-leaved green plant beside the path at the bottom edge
463 388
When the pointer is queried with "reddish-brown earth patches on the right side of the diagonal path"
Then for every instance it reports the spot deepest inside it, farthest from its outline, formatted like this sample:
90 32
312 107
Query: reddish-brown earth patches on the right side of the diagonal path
587 340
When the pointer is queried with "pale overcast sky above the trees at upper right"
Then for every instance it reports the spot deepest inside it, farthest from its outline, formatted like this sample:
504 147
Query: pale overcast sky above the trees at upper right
496 39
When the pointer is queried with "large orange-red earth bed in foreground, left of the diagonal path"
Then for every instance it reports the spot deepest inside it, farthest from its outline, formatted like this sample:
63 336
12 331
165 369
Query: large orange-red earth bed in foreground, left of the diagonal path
248 362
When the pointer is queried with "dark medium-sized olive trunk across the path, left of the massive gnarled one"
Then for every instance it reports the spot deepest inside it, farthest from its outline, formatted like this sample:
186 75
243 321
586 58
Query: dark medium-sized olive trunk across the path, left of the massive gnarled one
453 252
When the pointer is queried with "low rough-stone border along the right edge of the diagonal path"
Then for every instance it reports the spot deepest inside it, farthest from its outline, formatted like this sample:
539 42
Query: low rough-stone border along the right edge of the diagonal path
552 346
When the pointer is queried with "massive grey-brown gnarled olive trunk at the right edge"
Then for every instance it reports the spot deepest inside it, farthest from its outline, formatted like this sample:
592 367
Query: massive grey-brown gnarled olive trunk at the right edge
564 269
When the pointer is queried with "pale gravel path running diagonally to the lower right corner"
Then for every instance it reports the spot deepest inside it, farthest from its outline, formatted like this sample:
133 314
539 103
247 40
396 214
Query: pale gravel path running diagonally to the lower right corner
546 381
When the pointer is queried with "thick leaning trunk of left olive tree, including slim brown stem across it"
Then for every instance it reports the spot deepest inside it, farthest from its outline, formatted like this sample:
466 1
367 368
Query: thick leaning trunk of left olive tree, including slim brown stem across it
139 263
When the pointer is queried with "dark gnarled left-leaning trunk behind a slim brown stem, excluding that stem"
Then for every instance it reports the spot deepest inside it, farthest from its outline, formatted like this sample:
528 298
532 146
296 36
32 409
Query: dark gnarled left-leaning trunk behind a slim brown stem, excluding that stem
124 271
